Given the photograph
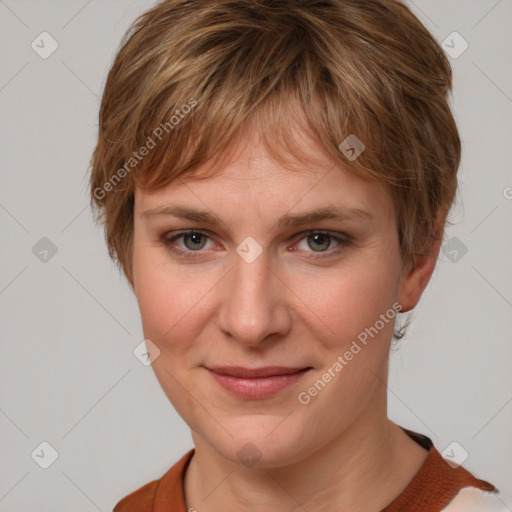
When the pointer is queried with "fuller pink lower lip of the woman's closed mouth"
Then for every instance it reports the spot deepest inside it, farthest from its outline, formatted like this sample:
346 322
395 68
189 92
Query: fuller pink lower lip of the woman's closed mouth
258 387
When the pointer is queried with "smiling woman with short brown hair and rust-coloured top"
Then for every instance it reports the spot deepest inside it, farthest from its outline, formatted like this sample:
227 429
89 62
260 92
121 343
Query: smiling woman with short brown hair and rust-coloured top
274 179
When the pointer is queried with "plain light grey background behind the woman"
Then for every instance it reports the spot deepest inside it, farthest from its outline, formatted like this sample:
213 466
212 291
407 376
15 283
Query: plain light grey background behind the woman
69 325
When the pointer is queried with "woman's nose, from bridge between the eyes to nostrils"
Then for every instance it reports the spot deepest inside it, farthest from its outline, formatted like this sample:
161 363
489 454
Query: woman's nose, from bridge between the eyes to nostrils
254 302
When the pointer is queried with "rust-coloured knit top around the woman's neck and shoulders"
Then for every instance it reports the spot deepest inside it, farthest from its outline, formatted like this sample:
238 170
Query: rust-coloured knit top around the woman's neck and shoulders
432 489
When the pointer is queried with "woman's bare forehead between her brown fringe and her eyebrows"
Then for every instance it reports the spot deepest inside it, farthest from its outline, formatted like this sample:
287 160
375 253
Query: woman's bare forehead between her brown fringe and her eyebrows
254 175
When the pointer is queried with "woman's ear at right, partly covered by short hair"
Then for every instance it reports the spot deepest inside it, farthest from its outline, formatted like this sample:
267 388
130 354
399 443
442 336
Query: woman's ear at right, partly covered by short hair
418 272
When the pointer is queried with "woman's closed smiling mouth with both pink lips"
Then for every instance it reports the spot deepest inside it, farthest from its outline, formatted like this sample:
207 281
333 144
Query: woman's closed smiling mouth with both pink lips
256 383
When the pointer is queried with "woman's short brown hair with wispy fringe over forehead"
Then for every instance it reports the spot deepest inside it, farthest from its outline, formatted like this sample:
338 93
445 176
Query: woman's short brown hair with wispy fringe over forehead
200 71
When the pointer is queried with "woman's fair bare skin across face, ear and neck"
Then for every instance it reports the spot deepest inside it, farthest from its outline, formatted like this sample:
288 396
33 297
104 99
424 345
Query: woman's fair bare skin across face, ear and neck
284 308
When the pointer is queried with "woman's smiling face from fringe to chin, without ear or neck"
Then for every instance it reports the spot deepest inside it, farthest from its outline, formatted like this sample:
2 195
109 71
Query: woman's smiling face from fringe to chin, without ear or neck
262 285
